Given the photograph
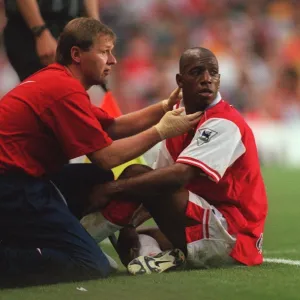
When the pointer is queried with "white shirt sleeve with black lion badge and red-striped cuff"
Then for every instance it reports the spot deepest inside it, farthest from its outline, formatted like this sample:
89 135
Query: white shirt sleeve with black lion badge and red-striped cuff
217 144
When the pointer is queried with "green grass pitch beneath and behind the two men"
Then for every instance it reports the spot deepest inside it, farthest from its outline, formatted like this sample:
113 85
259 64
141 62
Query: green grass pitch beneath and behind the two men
269 281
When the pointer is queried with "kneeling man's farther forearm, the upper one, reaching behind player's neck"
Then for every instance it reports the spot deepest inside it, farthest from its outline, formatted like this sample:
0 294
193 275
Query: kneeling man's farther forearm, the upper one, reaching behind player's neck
136 122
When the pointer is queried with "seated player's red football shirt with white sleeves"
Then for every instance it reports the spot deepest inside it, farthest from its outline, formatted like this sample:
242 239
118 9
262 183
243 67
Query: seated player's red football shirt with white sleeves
224 149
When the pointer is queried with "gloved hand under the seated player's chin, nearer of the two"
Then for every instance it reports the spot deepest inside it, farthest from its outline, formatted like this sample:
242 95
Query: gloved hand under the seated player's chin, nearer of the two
173 123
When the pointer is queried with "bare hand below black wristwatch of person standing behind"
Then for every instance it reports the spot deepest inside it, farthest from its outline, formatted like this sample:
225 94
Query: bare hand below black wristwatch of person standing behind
46 47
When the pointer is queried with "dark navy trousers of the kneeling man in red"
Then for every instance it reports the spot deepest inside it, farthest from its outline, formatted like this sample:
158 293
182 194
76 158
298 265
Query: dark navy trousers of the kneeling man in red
40 234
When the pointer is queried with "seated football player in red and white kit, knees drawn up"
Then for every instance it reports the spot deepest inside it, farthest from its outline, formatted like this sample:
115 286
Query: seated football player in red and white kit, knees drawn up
207 194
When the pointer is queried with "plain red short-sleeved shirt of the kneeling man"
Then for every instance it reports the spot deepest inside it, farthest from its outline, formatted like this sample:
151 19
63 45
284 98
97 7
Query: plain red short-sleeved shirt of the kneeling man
47 120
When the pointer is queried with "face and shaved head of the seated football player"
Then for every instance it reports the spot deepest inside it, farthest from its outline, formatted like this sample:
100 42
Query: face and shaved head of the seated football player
199 80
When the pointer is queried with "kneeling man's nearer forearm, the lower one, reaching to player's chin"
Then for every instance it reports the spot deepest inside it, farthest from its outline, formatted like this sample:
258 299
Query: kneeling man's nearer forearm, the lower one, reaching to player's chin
124 150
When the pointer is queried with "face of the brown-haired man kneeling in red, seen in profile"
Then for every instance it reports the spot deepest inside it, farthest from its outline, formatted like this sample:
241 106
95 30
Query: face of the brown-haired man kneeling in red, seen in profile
96 63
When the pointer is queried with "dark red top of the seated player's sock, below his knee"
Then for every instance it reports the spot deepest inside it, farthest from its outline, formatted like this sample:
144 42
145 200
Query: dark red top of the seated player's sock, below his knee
119 212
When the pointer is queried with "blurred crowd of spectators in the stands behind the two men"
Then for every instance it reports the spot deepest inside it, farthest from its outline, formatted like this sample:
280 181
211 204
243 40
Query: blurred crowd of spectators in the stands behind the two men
257 43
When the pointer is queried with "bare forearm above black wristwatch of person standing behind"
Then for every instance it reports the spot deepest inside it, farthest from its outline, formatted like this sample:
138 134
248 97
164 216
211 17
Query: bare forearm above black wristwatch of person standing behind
30 11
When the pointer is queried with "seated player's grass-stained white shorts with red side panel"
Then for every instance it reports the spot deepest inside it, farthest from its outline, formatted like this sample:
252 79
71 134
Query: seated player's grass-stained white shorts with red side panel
208 243
